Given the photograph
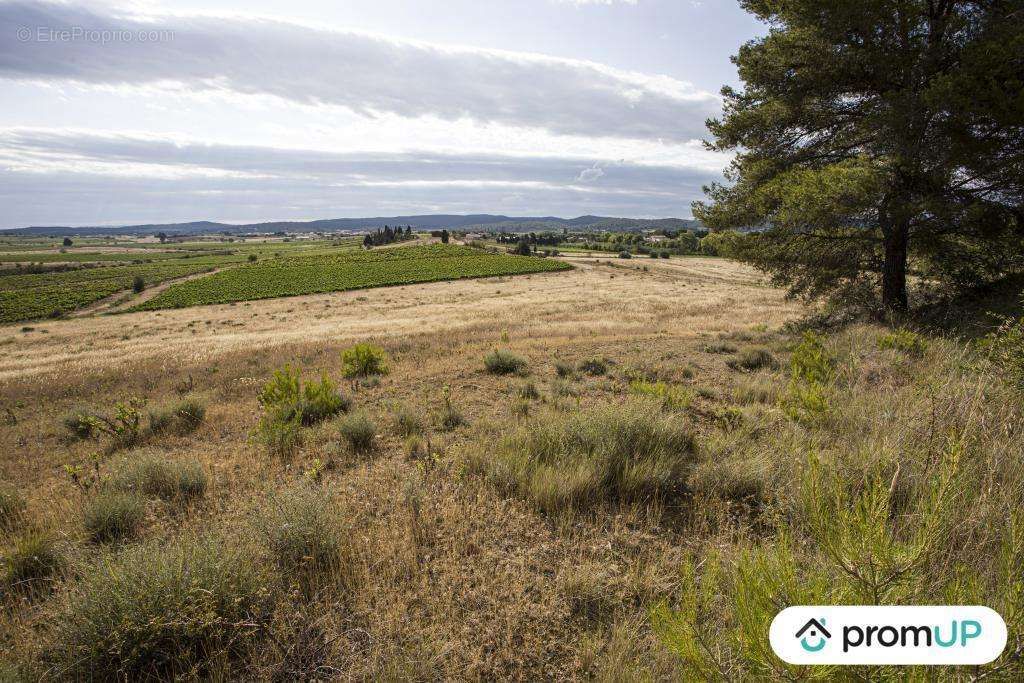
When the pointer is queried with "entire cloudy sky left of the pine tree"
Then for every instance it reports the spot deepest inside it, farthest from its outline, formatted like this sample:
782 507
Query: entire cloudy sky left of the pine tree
244 112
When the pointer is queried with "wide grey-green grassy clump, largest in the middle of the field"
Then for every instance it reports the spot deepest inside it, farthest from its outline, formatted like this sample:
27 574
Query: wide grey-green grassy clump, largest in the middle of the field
614 453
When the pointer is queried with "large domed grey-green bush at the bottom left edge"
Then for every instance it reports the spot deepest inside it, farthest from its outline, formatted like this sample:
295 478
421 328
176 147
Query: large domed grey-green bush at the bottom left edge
157 613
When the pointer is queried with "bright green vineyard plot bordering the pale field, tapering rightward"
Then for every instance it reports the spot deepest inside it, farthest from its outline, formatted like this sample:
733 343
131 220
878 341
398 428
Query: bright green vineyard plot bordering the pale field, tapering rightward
335 274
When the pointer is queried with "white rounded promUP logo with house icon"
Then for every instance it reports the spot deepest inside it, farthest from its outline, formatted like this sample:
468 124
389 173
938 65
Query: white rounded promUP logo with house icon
868 635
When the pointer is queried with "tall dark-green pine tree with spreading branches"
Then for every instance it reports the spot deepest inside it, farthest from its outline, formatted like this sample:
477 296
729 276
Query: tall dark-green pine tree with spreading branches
877 140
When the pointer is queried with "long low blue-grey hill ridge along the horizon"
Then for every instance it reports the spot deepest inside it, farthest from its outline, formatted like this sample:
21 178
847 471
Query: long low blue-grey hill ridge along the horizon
426 223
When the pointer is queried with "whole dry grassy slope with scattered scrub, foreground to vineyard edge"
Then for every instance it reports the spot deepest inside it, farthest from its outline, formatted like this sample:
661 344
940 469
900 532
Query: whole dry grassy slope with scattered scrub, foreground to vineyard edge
418 547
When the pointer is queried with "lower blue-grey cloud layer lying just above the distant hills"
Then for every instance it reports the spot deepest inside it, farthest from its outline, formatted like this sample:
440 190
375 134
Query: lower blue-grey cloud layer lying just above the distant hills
87 178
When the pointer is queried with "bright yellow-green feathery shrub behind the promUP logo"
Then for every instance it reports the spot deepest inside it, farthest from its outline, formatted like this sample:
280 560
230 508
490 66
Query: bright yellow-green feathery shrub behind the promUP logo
858 550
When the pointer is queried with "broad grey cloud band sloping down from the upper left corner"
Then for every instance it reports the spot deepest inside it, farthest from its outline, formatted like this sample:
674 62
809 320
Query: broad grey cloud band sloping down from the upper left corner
367 74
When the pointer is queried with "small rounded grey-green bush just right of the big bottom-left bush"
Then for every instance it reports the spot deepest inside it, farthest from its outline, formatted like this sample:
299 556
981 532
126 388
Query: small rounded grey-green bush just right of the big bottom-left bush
303 536
